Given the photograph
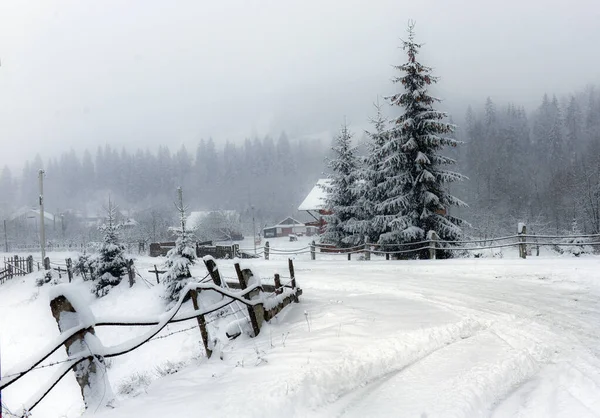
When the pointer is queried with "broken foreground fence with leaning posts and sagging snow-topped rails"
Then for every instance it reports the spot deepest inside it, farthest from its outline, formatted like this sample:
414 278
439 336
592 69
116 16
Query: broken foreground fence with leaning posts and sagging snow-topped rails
261 301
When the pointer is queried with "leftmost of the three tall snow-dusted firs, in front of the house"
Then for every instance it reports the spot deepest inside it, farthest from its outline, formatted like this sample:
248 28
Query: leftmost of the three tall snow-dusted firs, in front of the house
340 190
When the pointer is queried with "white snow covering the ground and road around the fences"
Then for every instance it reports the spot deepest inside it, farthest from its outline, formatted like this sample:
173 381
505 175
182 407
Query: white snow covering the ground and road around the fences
461 338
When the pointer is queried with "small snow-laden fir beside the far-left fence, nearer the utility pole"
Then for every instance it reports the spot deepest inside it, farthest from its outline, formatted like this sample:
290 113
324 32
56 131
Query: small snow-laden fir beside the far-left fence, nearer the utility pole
110 264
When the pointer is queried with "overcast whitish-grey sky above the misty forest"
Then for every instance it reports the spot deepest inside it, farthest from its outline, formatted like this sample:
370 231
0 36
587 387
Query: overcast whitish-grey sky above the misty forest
140 73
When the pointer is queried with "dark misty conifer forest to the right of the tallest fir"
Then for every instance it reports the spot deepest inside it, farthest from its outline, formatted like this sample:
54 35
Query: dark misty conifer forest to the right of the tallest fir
542 168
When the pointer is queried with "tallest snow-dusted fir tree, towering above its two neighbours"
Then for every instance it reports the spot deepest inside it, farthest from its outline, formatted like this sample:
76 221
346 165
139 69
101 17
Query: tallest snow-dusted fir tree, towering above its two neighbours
415 198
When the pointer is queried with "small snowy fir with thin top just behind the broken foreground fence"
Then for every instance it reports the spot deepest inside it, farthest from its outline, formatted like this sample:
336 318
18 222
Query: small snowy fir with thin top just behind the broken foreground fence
179 258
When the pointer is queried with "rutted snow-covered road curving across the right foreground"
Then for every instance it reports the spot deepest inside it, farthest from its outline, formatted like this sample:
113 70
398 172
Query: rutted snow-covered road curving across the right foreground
538 355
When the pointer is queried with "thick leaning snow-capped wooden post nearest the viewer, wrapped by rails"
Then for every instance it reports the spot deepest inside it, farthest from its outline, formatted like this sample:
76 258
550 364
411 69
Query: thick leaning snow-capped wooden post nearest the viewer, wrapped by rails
90 373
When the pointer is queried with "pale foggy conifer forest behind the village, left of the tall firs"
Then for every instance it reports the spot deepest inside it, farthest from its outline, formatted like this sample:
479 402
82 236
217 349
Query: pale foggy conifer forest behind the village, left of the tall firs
272 175
